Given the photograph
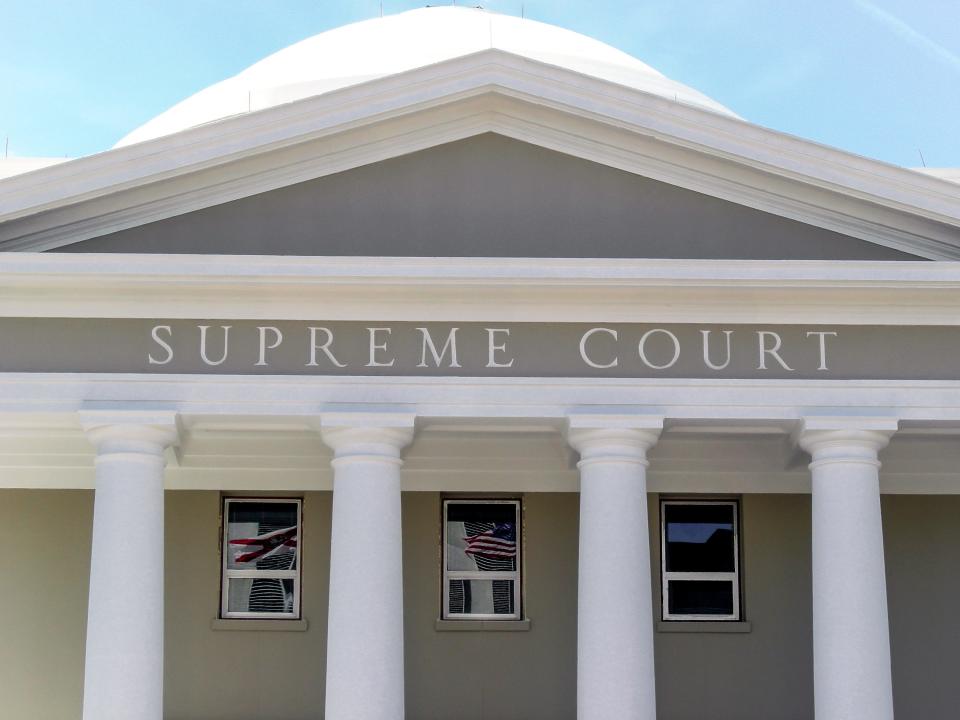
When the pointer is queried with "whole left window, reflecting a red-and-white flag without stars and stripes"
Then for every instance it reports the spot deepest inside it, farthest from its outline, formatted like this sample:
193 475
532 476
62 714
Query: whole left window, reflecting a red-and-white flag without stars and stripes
261 558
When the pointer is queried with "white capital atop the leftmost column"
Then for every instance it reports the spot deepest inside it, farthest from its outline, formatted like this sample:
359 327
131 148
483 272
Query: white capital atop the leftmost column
130 431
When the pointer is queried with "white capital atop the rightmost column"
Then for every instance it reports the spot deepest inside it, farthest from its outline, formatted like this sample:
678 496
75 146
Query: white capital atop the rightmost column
845 439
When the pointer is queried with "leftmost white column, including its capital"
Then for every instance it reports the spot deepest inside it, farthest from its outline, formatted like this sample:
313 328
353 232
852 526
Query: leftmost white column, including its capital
123 675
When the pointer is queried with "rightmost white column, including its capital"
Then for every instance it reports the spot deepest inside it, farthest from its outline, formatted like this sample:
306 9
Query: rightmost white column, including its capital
851 639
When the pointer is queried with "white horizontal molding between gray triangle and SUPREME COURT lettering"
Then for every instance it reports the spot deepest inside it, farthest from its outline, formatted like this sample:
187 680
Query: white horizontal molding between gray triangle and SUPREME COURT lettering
479 289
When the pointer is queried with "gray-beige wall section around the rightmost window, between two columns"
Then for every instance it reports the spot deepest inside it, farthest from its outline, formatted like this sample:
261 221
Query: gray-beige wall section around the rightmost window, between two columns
766 674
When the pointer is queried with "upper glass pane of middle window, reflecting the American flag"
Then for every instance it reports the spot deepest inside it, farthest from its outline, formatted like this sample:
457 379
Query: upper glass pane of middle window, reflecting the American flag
481 536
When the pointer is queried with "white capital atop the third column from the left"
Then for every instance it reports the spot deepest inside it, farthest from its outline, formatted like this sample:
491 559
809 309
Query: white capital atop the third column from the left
616 438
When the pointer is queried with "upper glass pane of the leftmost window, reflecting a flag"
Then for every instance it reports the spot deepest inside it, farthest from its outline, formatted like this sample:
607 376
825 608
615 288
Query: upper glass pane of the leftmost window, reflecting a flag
261 536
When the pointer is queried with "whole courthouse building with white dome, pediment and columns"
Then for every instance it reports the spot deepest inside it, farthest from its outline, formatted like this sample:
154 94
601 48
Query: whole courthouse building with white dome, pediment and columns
454 366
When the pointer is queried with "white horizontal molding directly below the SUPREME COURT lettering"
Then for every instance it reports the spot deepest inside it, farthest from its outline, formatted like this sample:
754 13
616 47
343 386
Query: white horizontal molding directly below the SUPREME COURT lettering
48 397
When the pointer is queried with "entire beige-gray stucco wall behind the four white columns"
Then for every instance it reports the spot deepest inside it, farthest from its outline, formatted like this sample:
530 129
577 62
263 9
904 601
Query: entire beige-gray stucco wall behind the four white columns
765 674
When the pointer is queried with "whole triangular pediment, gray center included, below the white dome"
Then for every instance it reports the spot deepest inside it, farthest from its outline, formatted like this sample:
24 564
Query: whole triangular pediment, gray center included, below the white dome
488 154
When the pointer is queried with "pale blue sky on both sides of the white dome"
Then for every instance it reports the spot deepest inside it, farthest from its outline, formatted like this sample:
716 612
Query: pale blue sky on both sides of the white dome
880 78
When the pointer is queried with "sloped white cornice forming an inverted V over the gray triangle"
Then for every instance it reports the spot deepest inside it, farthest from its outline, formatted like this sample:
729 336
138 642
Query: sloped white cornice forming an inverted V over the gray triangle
490 91
